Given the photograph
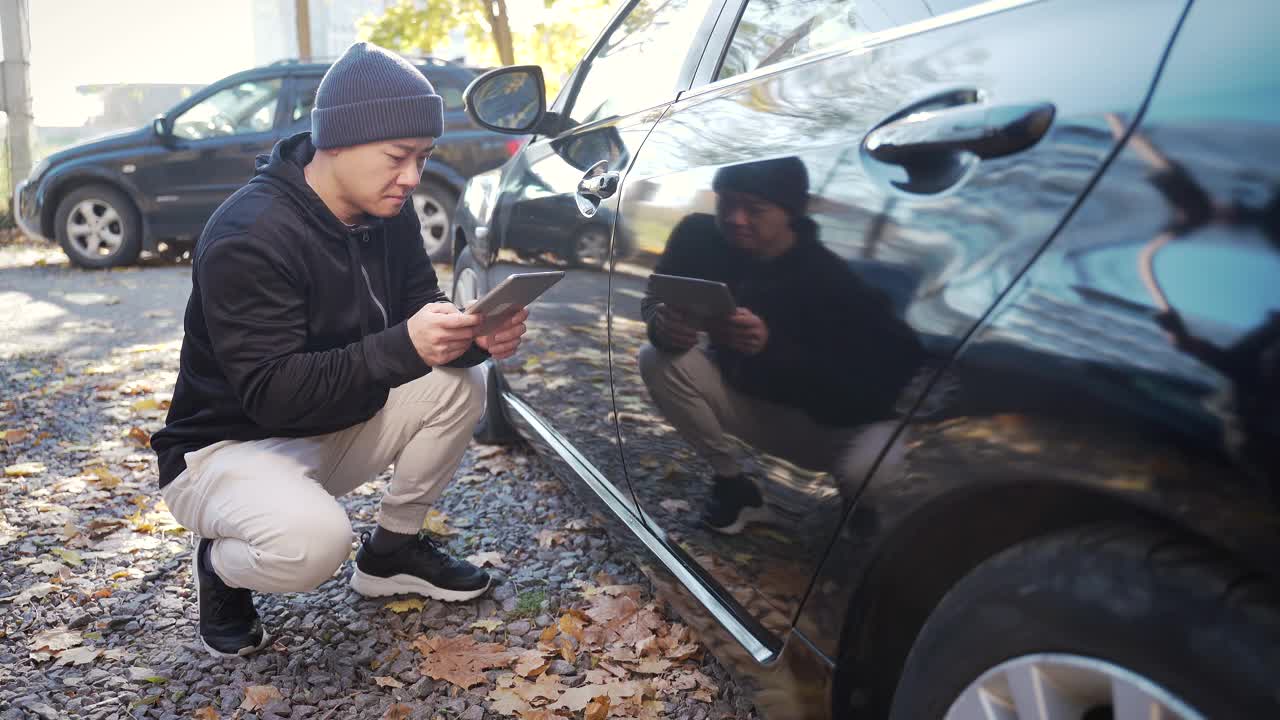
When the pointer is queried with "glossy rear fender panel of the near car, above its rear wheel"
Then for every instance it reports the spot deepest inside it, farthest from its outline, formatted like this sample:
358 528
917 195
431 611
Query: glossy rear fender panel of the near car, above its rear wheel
1073 403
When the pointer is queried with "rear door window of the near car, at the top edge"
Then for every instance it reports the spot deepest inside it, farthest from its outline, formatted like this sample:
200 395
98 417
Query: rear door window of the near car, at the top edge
772 31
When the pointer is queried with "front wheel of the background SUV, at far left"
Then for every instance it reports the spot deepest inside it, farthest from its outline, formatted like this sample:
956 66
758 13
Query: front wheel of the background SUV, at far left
99 227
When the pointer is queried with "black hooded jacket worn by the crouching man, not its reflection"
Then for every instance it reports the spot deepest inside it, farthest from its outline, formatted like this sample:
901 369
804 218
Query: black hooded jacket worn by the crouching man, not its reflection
296 323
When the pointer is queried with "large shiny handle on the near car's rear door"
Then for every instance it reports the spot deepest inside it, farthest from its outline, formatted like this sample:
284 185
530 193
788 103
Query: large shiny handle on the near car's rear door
984 131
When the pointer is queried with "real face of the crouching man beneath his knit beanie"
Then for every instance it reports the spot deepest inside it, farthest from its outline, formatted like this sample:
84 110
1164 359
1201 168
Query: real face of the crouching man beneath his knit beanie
378 177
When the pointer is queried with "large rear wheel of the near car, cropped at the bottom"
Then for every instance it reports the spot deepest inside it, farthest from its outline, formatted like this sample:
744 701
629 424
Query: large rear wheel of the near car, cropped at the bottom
1133 608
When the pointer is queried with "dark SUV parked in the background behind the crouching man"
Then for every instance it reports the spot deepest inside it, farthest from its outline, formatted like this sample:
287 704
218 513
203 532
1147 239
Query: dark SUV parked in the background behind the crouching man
107 200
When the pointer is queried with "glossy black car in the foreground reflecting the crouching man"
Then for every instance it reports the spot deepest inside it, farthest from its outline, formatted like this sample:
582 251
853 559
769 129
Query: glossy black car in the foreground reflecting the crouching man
994 430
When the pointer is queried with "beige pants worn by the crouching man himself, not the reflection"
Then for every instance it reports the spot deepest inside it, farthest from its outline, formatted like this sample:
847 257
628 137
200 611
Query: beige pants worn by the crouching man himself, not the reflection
269 505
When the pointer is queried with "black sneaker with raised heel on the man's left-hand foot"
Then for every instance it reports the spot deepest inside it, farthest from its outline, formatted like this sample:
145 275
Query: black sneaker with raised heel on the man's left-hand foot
230 626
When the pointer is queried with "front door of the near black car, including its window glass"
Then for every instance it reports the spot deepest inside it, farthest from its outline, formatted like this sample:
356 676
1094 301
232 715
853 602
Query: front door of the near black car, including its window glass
561 373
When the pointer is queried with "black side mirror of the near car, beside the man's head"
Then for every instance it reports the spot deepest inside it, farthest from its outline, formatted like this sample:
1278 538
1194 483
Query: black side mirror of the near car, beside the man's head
510 101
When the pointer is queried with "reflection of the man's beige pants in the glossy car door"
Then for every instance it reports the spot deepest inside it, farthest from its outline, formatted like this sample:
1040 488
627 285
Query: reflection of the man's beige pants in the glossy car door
692 394
